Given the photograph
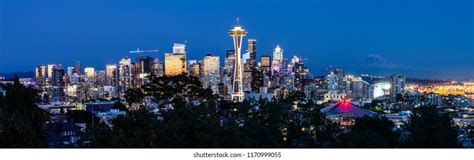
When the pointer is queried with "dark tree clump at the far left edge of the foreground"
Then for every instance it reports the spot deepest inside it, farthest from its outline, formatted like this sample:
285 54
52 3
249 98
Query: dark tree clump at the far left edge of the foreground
21 120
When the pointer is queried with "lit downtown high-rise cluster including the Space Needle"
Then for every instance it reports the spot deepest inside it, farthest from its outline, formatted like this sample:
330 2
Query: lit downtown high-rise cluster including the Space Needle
241 76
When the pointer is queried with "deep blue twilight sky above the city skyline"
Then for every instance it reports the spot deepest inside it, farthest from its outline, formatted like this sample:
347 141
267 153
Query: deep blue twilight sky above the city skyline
419 38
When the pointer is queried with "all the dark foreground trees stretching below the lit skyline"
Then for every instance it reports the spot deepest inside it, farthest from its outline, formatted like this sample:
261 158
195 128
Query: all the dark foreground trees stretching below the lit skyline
191 116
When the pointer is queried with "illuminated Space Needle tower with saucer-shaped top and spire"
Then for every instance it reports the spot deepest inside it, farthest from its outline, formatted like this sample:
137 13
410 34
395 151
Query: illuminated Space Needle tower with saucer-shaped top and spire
237 33
